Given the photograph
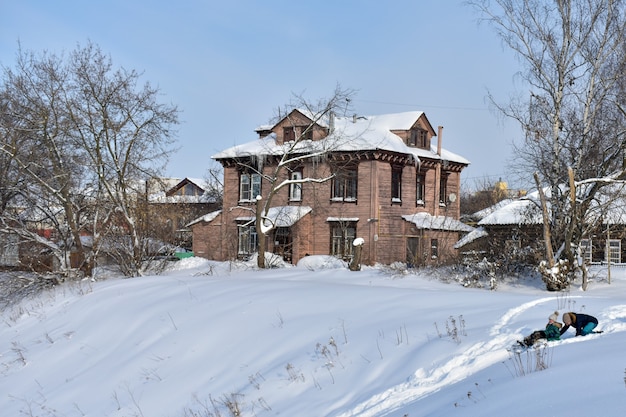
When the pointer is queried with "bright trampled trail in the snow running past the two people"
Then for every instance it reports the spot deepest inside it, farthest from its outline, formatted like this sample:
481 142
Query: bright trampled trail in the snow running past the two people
426 381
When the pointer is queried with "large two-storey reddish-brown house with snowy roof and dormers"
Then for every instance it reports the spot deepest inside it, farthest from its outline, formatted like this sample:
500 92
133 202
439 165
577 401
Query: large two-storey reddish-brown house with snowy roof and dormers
387 184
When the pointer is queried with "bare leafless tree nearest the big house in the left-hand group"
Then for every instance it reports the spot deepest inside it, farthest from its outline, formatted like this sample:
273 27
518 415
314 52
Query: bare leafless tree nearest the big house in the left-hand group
126 136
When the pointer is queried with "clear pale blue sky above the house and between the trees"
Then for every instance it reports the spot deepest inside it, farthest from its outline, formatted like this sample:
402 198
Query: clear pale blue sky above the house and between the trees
228 65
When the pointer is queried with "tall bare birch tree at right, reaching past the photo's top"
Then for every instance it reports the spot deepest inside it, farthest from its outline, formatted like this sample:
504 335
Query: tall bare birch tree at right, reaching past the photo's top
571 54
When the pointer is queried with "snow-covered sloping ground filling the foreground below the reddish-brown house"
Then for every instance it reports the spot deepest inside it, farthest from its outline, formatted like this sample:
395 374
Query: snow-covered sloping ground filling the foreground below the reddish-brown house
314 340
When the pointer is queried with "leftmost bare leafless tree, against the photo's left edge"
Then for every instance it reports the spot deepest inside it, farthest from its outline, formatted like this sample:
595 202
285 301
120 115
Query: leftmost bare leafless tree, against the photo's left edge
39 147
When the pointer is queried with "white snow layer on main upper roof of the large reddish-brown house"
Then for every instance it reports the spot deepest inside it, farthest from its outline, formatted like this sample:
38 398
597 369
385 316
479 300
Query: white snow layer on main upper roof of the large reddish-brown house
350 134
